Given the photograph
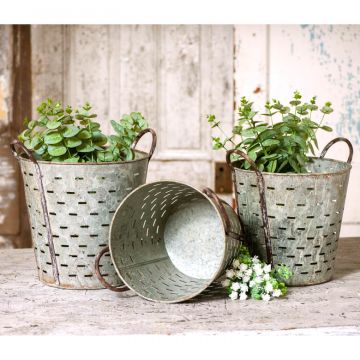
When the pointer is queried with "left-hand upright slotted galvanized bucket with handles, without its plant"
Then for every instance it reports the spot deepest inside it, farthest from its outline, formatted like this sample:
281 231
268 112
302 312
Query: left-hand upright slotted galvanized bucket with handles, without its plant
70 208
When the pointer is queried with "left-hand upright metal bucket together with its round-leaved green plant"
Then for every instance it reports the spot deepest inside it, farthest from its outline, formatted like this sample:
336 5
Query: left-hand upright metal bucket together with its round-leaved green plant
74 177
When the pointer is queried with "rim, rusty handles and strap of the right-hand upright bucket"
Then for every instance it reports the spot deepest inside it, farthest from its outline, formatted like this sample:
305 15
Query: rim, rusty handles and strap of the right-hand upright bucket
261 183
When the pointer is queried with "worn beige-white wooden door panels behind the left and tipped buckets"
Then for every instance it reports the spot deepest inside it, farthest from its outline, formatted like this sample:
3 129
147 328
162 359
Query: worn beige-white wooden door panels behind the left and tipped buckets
166 72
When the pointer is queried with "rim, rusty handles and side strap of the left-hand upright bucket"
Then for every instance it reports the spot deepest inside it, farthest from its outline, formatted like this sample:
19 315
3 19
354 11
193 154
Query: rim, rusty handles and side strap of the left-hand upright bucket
15 144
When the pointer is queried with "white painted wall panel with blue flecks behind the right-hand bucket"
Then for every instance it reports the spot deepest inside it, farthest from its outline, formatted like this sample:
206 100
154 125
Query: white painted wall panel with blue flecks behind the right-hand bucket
317 60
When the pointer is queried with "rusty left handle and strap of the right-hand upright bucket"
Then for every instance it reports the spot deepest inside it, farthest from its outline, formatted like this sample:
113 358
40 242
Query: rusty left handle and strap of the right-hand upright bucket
261 188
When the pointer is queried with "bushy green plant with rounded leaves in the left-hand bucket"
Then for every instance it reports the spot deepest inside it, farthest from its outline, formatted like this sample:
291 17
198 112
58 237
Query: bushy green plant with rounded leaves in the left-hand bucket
67 135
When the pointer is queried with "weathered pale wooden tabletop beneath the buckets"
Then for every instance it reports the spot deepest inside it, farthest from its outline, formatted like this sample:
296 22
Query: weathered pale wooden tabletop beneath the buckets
29 307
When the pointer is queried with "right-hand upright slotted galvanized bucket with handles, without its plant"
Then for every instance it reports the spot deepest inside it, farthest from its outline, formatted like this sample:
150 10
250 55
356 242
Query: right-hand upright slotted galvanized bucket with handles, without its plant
294 219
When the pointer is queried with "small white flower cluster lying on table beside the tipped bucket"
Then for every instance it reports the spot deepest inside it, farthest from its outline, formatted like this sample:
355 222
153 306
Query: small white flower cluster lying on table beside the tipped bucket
242 278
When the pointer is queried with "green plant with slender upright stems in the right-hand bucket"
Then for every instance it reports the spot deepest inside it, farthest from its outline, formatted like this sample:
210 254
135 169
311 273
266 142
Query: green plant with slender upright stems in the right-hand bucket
275 146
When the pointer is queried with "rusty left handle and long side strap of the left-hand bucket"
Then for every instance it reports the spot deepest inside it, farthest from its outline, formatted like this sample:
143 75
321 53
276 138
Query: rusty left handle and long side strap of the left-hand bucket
13 146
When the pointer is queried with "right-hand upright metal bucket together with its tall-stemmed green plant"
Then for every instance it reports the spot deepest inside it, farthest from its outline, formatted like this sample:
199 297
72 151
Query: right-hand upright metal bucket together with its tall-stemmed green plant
290 203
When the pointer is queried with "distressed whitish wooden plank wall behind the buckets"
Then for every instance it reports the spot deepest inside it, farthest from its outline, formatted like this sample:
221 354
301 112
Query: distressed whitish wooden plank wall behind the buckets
175 75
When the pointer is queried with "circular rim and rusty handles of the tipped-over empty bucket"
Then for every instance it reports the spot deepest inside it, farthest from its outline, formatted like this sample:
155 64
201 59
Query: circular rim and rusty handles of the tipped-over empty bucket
217 205
